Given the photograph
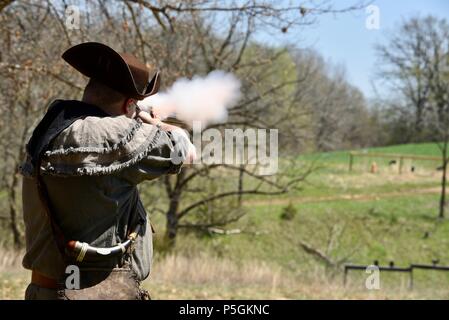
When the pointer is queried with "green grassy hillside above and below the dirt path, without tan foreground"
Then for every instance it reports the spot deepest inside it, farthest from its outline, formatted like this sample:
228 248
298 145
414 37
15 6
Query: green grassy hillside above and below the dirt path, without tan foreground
394 218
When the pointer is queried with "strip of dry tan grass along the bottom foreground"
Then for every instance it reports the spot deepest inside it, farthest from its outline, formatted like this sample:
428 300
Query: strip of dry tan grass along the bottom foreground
204 277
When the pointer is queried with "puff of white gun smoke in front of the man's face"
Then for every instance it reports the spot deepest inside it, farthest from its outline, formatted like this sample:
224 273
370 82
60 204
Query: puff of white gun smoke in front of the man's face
204 99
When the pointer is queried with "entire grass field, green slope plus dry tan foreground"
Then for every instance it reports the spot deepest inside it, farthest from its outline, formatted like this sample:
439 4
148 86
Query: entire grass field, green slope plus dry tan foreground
345 217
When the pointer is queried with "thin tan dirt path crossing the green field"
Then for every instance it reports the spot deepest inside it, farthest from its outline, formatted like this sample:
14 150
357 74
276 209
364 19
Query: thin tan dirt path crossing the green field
344 197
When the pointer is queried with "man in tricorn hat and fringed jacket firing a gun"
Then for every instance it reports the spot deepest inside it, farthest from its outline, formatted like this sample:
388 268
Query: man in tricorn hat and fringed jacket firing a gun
84 161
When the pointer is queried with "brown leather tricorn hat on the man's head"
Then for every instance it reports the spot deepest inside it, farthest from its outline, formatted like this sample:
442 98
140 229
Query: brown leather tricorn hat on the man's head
121 72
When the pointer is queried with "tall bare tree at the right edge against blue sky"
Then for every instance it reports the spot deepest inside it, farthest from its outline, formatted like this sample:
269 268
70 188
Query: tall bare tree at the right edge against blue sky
418 58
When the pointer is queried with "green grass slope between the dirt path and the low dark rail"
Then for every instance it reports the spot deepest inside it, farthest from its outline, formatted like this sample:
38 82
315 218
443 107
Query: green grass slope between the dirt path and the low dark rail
382 228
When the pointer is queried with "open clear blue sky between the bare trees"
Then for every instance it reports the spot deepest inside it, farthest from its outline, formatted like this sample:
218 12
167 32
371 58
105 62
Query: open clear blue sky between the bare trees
344 40
